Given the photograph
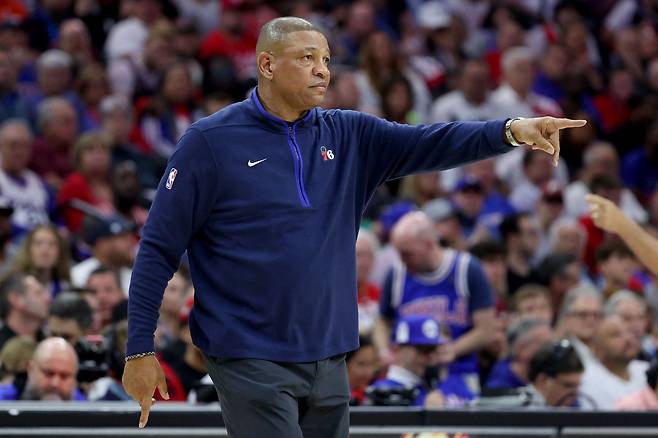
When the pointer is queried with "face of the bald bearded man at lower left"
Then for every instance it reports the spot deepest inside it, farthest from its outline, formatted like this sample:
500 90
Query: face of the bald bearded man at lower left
52 377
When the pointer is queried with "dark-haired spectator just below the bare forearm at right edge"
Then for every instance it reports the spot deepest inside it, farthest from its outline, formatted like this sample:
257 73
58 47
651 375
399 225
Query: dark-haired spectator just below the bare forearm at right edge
616 264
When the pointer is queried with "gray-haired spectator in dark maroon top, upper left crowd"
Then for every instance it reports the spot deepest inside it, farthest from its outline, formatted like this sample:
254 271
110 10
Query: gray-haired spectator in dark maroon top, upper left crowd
58 124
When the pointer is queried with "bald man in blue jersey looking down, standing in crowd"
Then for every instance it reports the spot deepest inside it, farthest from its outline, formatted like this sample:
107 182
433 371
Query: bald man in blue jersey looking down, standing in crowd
445 284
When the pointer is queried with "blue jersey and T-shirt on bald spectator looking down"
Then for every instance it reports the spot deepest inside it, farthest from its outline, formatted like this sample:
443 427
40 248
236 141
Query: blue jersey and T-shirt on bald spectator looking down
450 295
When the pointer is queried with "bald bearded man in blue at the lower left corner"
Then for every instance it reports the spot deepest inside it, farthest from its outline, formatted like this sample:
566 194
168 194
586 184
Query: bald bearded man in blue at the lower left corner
51 374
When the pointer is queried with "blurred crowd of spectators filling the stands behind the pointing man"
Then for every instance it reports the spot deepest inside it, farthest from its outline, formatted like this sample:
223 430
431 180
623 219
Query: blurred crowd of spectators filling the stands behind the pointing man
486 285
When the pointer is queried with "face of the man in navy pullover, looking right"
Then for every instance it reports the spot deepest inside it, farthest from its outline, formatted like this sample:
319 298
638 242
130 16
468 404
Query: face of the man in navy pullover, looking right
300 69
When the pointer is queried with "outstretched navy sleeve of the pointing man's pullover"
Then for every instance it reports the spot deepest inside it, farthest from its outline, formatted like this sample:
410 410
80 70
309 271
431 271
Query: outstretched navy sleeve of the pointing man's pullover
391 150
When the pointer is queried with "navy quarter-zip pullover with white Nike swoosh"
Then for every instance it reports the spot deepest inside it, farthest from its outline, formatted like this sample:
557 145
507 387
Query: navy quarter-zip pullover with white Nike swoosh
269 212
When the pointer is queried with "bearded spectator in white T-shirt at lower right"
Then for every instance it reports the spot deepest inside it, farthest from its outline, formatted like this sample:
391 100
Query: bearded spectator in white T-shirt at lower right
617 373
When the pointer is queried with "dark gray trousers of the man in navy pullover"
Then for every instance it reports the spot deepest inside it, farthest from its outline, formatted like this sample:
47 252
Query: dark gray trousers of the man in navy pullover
260 398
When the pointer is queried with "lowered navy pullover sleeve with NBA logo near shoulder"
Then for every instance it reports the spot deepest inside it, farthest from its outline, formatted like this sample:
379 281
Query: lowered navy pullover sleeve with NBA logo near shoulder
184 199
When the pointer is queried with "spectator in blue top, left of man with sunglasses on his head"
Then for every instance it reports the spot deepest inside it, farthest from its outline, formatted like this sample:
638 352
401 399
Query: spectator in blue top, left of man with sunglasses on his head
524 337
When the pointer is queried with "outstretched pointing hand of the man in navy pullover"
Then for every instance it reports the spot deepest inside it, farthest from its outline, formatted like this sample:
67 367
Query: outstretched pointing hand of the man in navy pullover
543 133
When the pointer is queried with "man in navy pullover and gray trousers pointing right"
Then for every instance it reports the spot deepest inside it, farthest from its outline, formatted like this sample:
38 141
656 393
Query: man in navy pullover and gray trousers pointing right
266 196
